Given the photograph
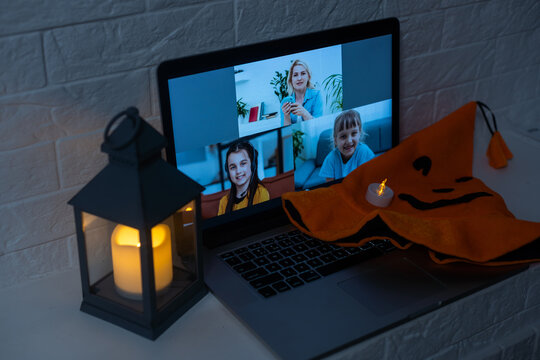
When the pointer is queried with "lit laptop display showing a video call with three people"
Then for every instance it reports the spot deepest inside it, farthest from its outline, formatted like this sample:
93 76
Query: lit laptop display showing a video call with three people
254 131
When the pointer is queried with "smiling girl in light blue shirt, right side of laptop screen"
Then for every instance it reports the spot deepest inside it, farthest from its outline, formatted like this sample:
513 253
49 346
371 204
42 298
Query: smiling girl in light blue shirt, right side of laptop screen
349 152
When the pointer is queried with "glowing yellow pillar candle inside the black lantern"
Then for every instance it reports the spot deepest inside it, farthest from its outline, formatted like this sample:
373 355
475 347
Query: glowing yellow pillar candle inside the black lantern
125 246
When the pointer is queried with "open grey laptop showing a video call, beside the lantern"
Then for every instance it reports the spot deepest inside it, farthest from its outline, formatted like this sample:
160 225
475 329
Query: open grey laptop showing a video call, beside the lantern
253 122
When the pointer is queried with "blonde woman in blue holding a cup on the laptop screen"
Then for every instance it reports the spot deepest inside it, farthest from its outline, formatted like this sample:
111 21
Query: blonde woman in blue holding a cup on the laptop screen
303 102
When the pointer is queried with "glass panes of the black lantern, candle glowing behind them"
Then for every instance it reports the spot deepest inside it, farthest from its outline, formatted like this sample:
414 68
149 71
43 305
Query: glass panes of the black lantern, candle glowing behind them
114 260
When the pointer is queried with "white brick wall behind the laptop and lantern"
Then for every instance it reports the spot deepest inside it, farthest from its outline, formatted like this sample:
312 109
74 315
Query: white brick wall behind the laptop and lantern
67 67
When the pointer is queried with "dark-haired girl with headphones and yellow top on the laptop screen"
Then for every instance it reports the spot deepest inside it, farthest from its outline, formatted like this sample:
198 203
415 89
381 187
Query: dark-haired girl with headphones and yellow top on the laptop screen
246 188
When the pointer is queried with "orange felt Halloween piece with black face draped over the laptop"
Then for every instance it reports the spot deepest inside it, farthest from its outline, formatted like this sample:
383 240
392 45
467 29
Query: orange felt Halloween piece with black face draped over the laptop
437 203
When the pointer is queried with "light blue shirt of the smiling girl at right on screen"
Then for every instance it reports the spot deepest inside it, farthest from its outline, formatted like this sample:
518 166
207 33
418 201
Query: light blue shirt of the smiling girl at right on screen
333 166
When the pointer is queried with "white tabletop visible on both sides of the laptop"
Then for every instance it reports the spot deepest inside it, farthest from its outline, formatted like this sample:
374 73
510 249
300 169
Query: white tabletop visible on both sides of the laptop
41 318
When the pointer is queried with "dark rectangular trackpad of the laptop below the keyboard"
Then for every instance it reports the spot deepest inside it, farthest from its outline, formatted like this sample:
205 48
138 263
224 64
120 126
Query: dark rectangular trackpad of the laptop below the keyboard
389 286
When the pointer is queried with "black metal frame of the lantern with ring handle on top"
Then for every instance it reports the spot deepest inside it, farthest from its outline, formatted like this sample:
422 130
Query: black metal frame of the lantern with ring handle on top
152 190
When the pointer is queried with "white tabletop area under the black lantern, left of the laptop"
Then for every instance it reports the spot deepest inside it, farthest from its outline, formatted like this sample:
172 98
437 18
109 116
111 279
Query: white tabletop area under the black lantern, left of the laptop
41 319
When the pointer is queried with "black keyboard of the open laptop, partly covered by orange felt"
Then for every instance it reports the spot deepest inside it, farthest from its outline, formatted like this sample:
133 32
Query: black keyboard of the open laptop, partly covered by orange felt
290 260
